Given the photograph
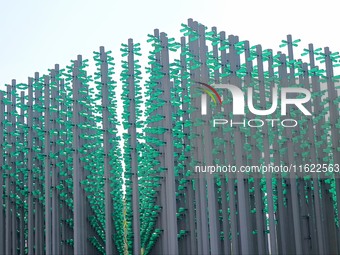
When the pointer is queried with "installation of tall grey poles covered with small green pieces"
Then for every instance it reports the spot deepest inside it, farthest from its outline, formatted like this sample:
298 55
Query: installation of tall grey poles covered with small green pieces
82 174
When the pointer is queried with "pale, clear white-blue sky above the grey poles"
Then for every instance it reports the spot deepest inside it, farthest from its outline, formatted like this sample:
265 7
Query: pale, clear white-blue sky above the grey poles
36 34
